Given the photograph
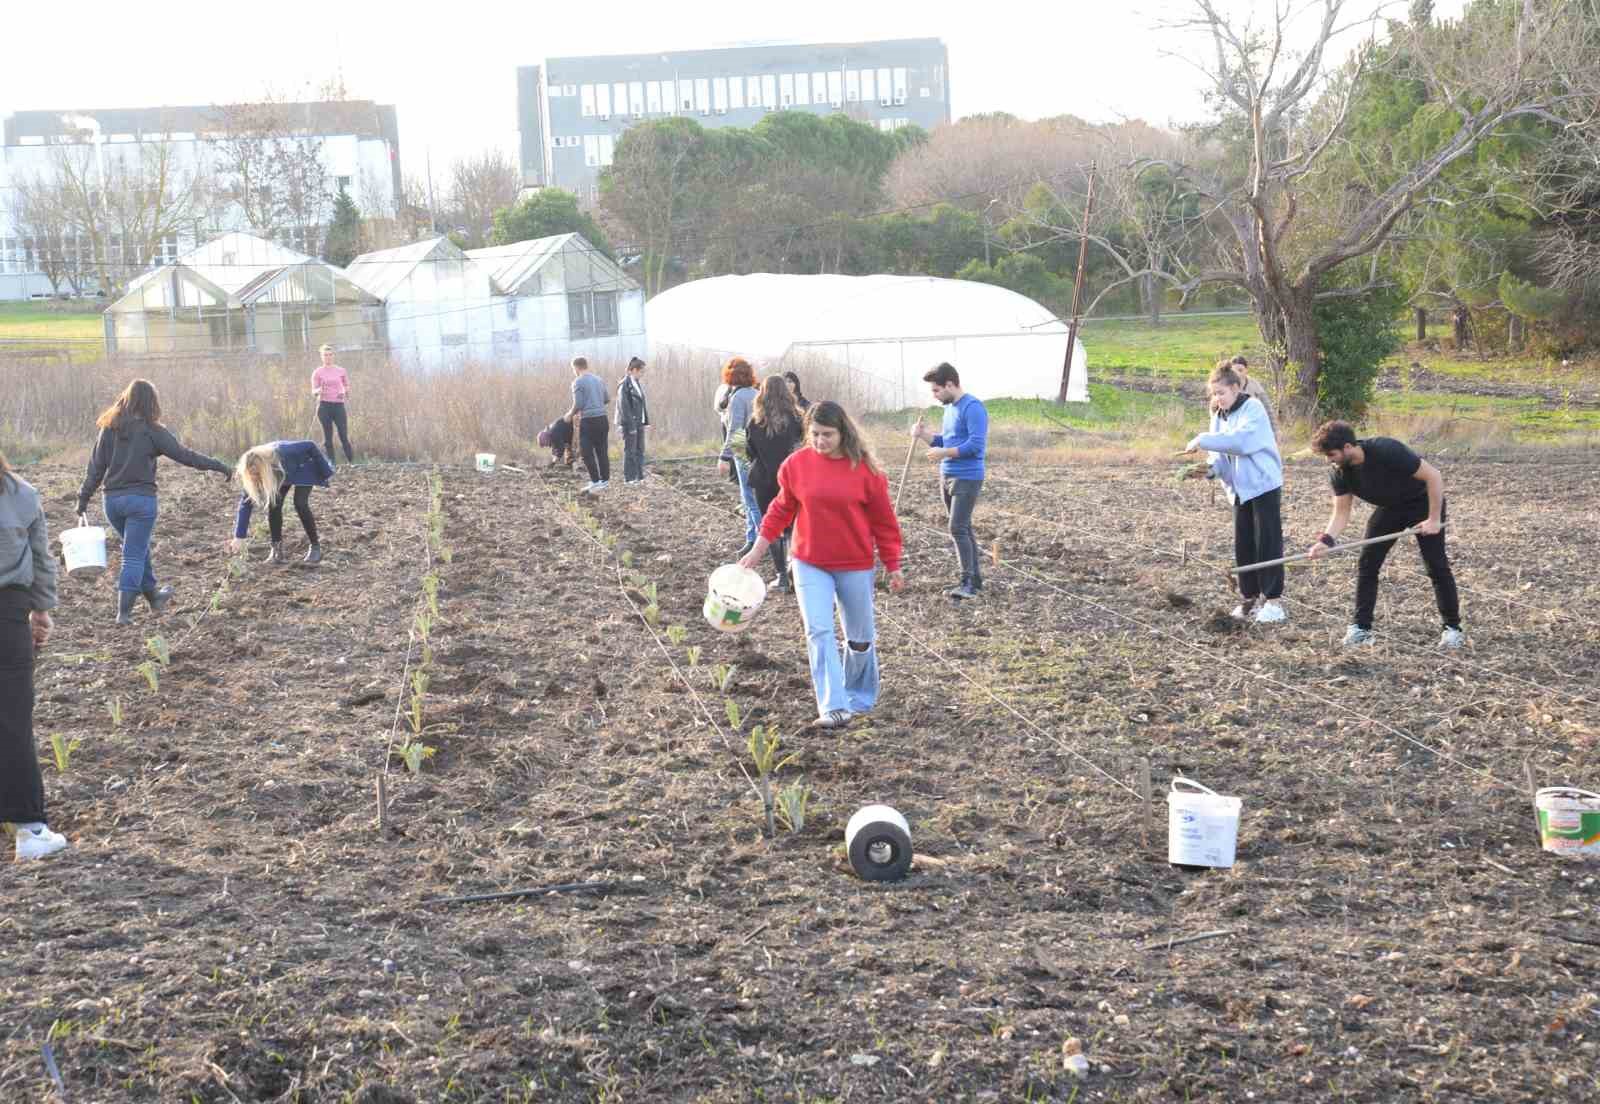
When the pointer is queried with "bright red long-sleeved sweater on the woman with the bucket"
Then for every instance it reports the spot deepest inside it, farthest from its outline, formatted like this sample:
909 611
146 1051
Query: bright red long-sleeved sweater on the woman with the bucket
839 513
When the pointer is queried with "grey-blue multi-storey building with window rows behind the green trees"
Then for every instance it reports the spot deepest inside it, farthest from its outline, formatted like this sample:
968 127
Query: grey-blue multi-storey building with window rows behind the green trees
574 110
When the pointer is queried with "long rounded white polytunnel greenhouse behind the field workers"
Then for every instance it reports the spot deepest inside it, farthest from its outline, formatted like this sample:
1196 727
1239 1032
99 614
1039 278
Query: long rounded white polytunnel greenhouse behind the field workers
871 338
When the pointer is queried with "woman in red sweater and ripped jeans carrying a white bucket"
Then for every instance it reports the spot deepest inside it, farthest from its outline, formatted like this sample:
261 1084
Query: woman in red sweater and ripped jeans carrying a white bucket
839 502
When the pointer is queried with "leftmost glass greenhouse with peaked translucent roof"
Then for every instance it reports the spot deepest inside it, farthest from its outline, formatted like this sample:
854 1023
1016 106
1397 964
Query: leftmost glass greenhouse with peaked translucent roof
247 295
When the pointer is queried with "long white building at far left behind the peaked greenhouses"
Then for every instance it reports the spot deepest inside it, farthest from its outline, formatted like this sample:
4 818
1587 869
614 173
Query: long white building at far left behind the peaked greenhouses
110 159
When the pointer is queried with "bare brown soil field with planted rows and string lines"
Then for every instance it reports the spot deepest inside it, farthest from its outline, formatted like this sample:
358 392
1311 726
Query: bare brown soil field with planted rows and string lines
233 926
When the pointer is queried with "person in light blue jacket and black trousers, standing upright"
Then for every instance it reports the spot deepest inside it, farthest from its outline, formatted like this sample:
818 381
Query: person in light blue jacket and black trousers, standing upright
1246 457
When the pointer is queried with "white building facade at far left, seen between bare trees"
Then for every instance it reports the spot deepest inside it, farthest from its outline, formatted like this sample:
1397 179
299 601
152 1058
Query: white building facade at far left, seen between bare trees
358 145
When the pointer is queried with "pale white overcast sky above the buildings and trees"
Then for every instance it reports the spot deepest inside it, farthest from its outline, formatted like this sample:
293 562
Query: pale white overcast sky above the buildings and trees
452 70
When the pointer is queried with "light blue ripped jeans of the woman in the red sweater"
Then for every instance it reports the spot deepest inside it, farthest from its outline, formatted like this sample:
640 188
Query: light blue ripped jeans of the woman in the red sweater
842 678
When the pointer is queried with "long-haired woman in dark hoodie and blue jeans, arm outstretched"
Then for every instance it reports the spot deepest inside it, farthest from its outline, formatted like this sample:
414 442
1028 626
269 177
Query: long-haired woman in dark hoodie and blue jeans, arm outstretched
132 438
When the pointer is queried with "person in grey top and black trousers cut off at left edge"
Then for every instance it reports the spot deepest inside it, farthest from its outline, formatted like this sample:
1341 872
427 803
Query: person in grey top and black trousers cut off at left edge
28 594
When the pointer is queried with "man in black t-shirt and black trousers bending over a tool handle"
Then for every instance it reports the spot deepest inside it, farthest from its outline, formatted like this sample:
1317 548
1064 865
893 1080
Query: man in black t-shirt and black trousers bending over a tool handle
1407 492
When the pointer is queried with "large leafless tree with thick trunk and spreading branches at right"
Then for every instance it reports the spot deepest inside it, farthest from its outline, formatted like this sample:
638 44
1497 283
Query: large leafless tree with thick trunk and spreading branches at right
1286 111
